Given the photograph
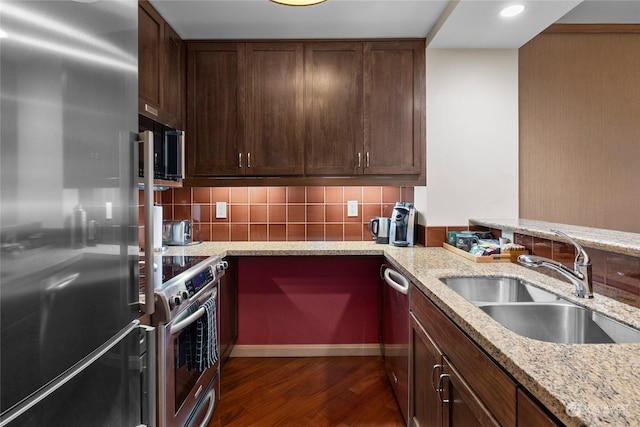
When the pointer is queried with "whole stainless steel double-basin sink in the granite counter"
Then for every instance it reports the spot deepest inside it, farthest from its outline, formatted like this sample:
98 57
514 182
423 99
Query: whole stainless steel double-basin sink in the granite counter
536 313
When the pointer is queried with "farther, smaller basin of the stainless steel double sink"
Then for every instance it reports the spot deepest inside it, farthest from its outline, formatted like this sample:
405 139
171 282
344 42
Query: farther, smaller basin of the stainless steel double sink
481 290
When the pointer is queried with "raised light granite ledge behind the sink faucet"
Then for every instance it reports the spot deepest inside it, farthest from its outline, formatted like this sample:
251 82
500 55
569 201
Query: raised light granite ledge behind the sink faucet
607 240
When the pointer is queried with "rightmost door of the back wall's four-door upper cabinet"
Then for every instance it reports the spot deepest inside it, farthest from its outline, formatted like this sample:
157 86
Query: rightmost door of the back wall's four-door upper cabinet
394 107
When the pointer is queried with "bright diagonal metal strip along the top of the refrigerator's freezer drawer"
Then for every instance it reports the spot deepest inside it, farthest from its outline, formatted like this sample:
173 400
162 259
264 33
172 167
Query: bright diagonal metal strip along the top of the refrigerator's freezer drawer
69 374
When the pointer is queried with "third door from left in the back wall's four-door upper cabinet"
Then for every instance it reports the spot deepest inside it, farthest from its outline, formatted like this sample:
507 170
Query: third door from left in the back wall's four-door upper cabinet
333 108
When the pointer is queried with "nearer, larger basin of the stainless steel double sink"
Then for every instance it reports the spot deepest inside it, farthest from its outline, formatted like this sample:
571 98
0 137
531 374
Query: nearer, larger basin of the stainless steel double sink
561 323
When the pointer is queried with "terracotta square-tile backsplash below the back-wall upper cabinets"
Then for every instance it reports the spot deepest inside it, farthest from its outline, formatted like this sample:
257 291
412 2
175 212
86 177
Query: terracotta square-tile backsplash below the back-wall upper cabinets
280 213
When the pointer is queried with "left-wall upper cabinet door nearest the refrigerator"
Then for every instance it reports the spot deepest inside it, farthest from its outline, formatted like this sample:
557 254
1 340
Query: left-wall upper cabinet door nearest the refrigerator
150 32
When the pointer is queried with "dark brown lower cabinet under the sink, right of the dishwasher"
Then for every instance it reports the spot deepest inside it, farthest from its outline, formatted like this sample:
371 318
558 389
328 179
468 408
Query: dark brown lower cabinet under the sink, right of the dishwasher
454 383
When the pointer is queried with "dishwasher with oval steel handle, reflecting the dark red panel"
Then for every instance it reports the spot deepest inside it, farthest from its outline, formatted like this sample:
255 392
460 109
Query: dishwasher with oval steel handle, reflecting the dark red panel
394 331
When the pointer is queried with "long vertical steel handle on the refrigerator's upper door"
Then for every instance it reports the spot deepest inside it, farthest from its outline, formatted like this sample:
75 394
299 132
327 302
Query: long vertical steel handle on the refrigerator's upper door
146 138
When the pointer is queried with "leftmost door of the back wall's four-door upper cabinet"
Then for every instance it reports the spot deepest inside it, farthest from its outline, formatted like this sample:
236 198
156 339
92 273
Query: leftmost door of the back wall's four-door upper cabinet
215 109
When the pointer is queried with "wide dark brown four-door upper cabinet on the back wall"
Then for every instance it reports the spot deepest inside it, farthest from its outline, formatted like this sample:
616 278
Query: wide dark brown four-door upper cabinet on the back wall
301 112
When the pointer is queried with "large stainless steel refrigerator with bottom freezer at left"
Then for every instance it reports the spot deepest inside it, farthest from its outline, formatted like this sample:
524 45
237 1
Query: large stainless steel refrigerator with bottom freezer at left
72 352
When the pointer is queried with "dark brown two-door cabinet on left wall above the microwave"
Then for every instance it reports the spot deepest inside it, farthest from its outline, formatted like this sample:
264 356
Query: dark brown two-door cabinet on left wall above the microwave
160 68
